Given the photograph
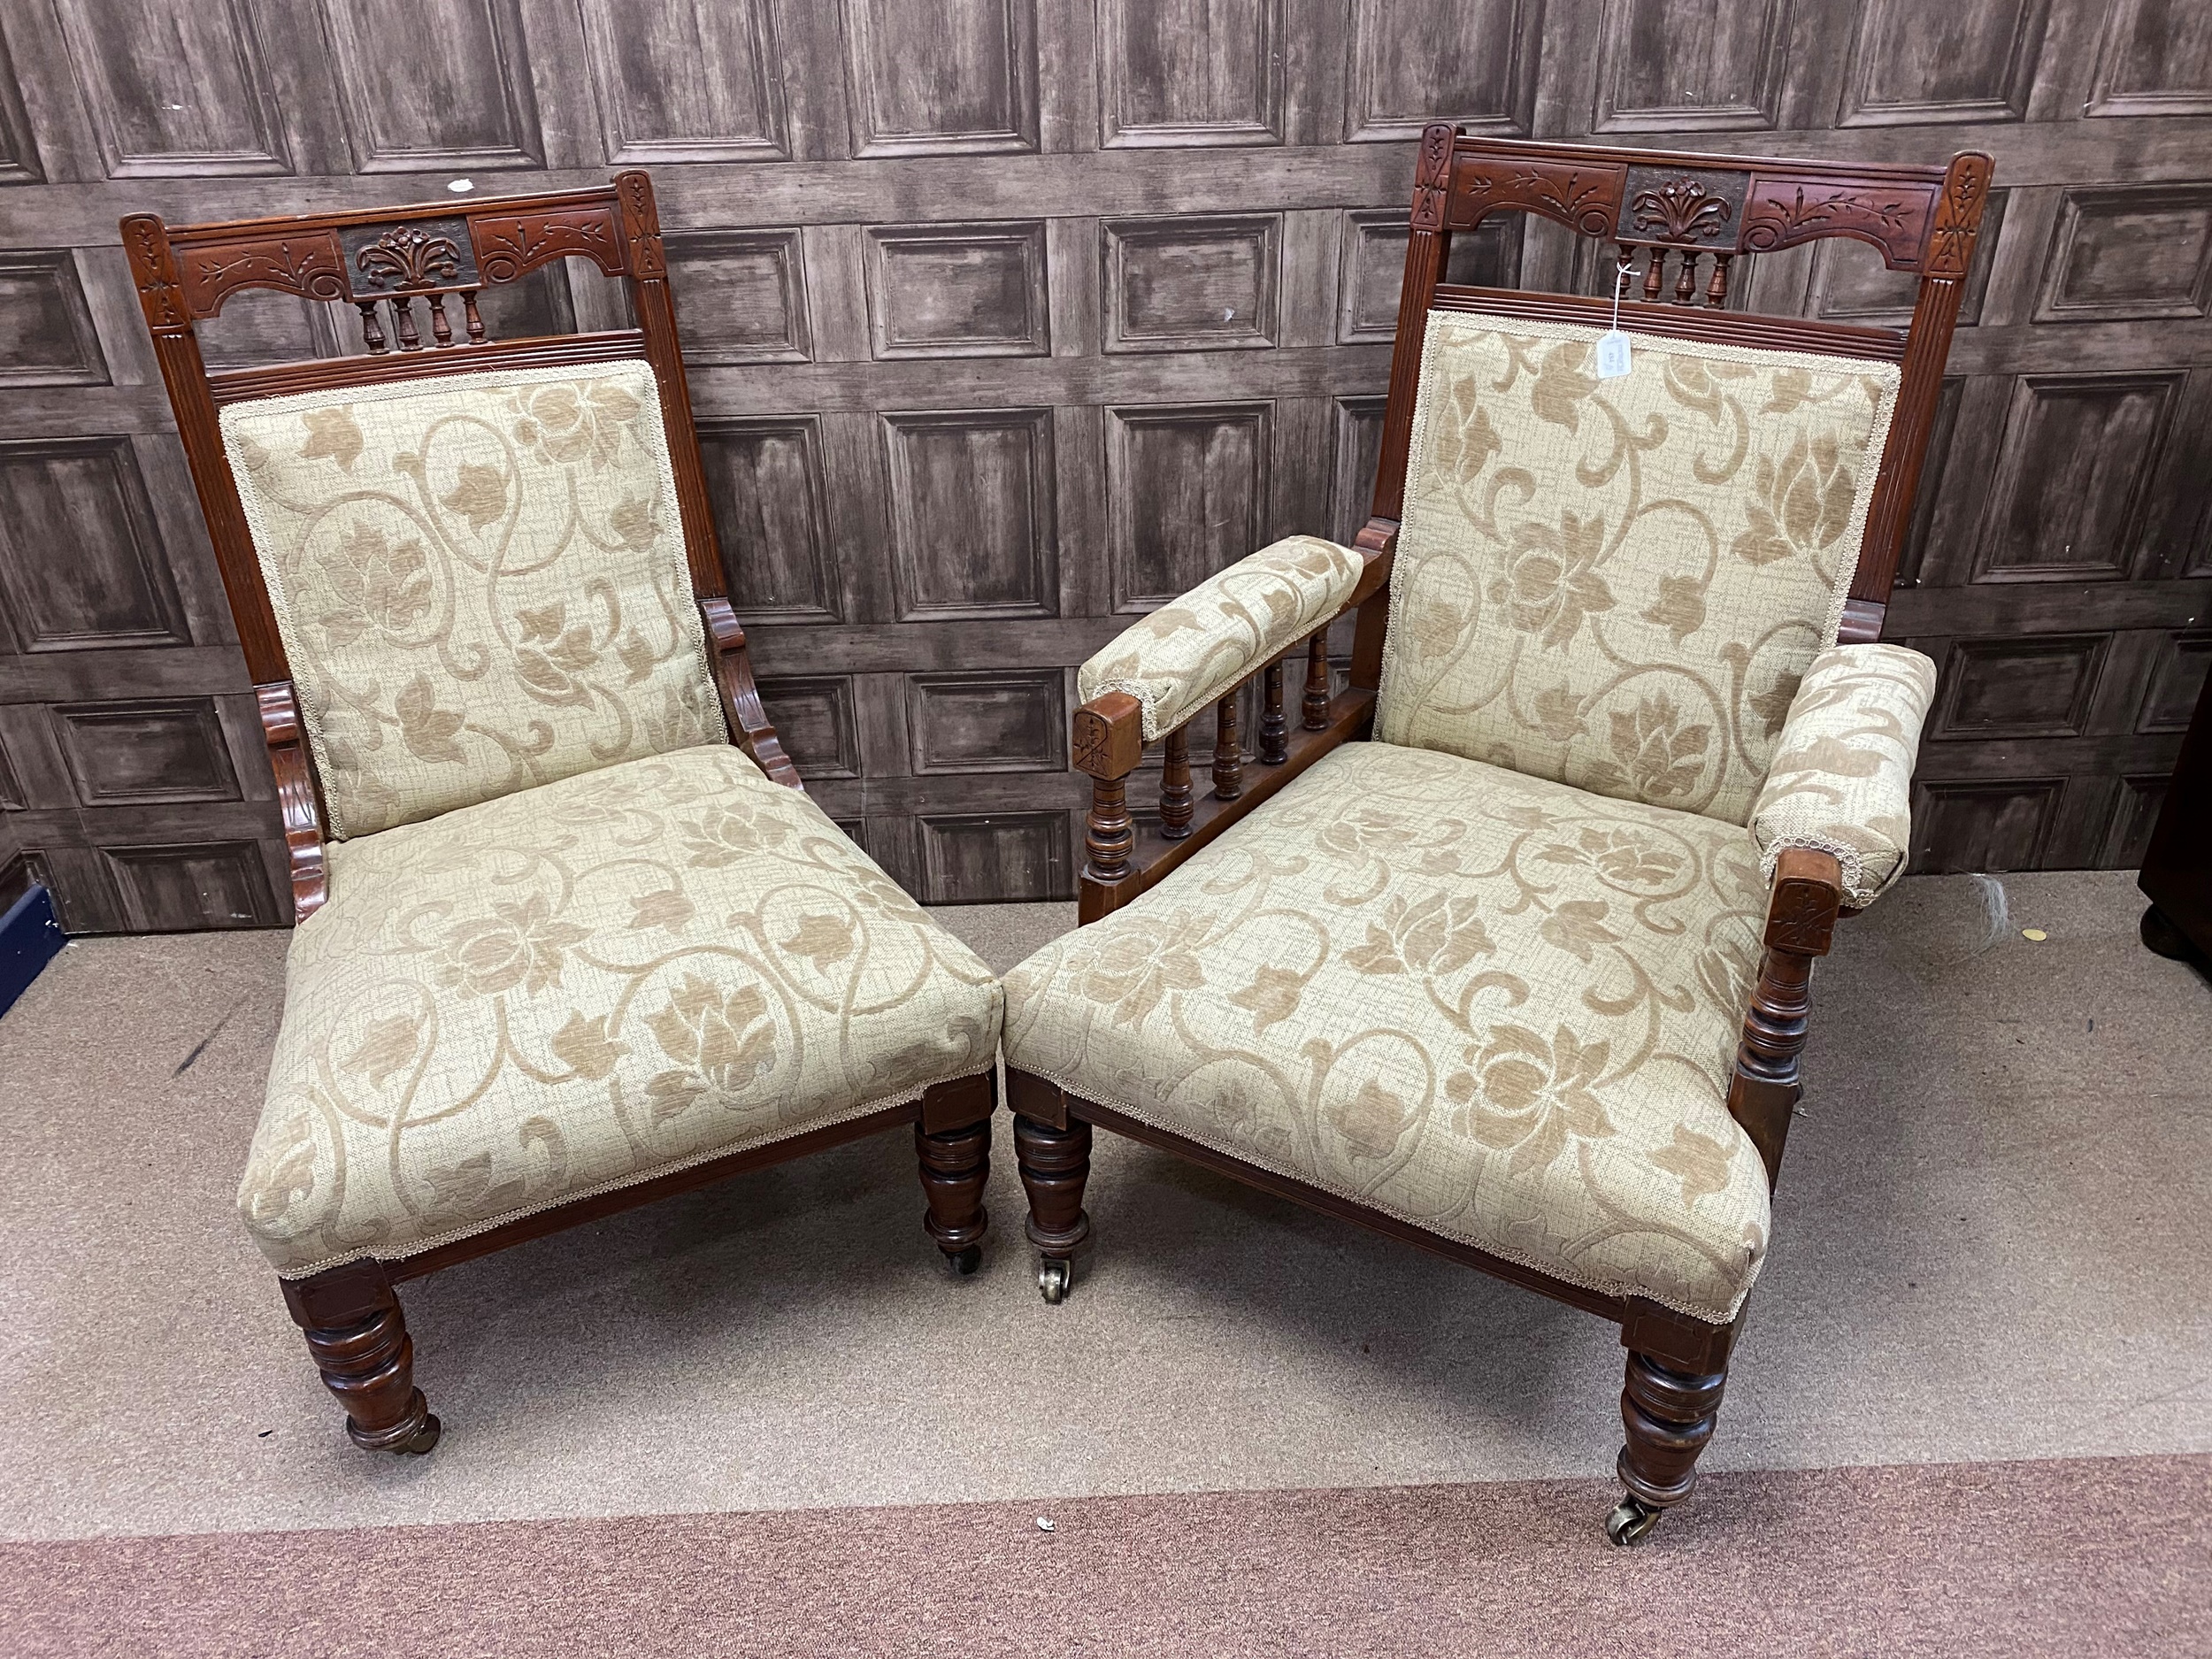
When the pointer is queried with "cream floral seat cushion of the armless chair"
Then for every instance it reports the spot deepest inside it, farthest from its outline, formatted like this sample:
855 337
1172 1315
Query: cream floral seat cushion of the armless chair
583 988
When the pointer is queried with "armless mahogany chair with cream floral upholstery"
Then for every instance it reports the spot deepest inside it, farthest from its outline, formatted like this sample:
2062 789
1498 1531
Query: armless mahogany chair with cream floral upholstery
572 935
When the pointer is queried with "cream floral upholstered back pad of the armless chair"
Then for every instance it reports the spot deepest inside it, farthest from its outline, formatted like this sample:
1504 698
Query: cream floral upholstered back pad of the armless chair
479 583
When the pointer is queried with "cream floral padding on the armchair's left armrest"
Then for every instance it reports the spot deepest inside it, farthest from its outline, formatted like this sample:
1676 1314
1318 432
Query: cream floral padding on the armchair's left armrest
1193 651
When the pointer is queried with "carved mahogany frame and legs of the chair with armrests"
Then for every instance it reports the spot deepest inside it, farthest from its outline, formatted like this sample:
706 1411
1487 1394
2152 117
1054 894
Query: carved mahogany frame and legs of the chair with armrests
1653 207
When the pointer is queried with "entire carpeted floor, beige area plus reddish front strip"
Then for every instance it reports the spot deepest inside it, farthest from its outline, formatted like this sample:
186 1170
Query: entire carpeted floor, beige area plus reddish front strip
1990 1258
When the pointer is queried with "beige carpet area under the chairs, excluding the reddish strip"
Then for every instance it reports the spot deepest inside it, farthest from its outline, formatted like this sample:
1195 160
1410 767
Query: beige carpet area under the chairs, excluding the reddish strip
1990 1244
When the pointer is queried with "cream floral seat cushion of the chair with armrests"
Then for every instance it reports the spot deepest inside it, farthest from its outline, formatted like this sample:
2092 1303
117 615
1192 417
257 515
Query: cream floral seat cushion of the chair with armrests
1496 1008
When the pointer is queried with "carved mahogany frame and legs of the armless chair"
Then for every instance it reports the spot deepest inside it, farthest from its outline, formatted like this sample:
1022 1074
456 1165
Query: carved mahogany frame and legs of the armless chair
384 262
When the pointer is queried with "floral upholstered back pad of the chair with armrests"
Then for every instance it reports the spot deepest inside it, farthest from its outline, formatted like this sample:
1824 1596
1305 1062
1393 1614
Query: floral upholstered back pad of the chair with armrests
1620 583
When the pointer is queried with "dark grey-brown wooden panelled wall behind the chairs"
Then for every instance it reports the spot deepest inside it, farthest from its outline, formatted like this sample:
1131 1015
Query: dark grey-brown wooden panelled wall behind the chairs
1014 317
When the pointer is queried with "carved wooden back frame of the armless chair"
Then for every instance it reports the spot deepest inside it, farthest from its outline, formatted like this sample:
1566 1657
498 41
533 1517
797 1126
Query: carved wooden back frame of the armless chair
384 264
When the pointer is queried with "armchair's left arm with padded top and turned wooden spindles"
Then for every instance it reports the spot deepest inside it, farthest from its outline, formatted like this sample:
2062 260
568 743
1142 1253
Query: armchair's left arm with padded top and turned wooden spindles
1202 649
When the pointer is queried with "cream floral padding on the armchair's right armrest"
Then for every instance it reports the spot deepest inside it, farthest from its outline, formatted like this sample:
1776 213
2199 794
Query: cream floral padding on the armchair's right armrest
1844 780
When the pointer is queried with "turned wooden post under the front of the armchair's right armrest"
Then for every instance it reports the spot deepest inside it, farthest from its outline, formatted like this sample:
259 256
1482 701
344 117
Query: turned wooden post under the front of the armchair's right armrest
1802 921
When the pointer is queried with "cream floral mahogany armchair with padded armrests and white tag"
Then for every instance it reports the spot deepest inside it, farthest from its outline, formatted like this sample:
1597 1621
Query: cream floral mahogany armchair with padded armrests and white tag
1523 979
